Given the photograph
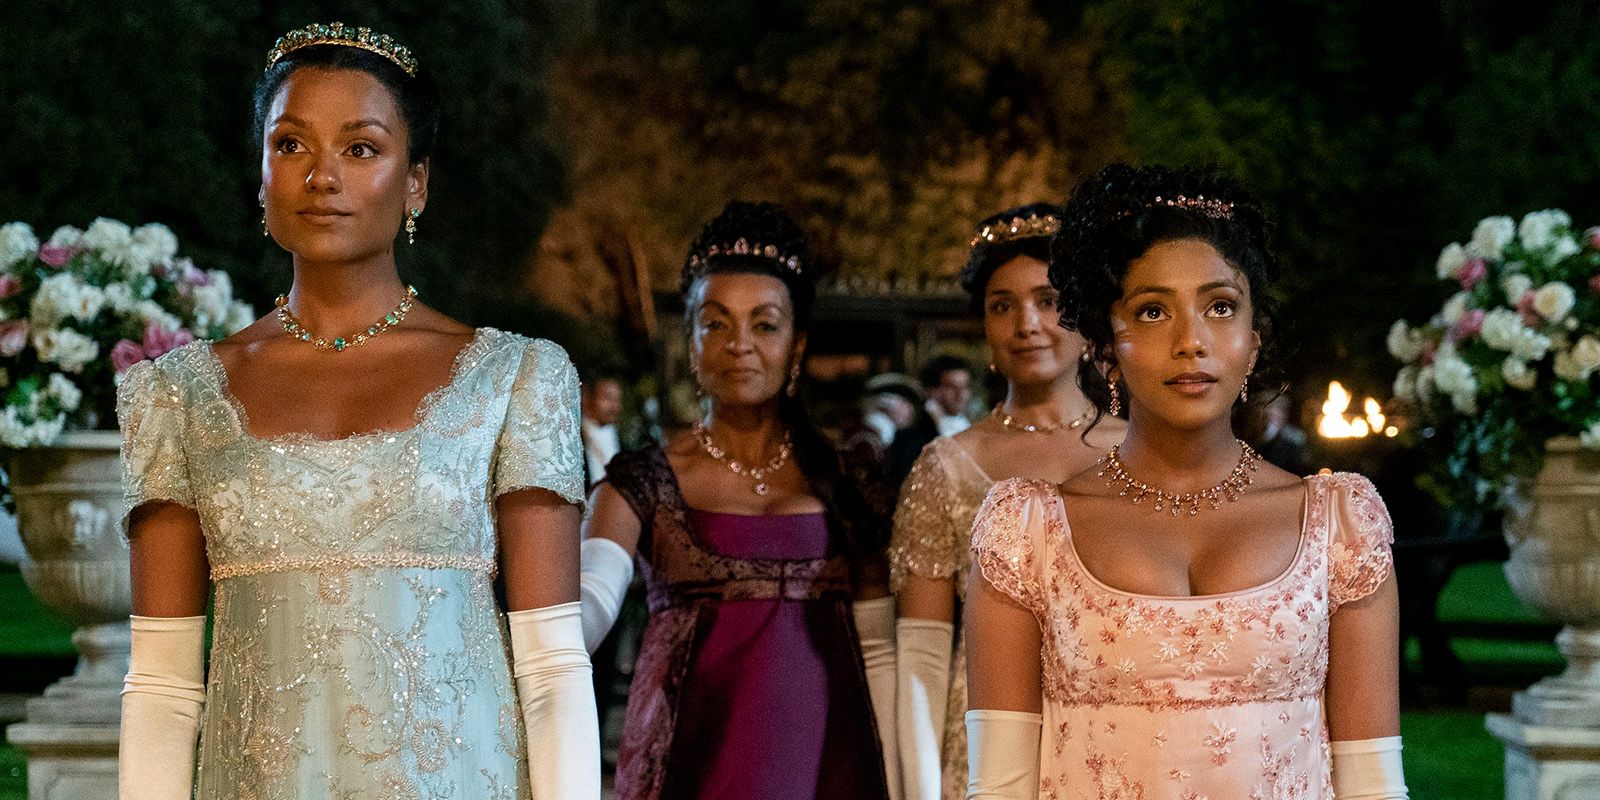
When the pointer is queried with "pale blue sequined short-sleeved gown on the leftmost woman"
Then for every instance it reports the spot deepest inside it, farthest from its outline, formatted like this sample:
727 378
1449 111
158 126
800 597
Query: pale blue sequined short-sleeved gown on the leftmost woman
358 647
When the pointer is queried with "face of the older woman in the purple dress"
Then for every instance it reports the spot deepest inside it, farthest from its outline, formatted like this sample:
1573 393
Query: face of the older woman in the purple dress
743 340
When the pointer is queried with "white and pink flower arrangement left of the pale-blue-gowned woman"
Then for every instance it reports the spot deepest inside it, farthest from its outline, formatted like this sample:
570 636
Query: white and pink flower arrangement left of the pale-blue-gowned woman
82 308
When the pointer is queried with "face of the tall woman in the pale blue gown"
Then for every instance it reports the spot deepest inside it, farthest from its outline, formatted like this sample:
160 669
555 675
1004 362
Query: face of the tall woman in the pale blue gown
335 174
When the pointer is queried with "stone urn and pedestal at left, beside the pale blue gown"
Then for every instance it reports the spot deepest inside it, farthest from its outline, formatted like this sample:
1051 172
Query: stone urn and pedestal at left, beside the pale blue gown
70 516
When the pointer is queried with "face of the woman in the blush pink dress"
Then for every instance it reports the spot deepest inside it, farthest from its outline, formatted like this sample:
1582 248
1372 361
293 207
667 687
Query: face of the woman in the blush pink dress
1185 338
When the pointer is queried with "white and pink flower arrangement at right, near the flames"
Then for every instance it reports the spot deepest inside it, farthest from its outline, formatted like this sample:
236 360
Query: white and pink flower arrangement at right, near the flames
1513 358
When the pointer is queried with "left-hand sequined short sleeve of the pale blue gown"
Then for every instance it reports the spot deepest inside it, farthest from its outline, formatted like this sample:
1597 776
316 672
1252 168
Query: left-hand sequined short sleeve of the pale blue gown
151 415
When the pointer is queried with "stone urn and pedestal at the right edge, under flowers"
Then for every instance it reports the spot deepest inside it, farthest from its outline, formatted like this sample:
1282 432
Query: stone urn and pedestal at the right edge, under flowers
1553 527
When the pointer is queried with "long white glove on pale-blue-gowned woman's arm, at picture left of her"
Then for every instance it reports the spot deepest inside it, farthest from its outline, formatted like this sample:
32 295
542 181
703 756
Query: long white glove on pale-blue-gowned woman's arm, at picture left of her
161 708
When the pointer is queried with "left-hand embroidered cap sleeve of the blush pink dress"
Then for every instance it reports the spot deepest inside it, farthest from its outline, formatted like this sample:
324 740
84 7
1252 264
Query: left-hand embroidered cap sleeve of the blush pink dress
1010 540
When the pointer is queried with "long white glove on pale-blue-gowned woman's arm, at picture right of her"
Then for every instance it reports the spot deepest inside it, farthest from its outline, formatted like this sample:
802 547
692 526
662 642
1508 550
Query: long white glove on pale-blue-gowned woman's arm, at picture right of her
558 698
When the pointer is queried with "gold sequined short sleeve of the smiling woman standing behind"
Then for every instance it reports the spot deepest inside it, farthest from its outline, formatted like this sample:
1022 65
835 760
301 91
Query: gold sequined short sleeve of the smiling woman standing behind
926 532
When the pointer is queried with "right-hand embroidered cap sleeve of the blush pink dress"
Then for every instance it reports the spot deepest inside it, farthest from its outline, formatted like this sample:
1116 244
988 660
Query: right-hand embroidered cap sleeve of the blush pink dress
1361 543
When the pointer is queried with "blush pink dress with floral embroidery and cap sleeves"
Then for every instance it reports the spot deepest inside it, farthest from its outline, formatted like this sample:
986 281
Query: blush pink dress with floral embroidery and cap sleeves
1185 698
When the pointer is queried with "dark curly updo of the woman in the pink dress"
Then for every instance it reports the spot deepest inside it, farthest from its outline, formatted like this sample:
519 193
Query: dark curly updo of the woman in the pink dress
1124 212
